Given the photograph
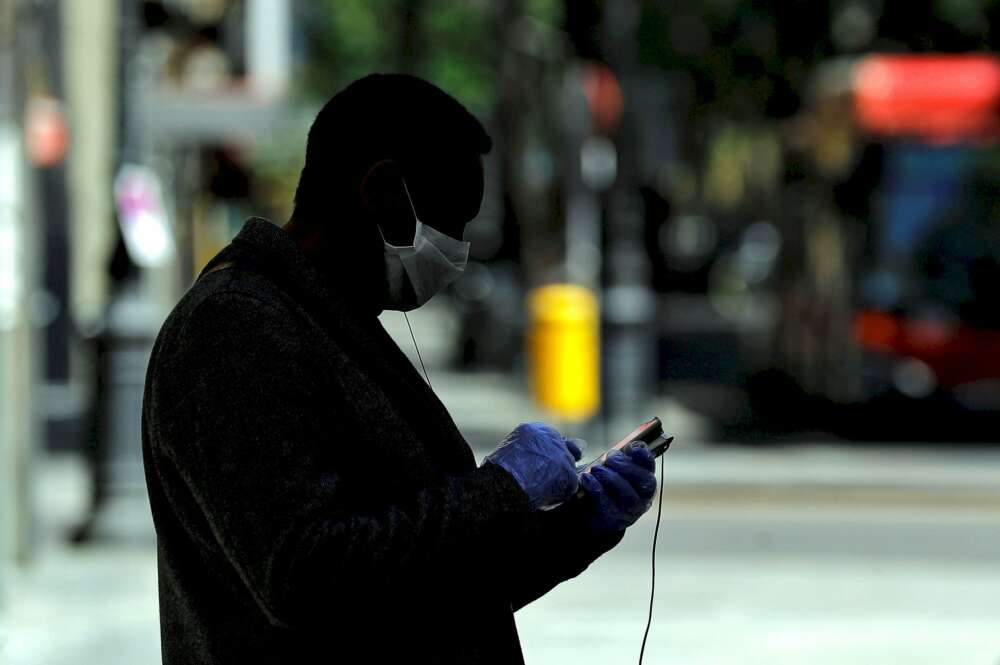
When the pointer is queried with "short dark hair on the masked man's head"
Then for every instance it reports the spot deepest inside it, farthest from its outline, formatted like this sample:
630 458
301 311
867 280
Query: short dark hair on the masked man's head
384 116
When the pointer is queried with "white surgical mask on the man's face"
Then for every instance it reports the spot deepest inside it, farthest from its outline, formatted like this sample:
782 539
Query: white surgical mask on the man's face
432 262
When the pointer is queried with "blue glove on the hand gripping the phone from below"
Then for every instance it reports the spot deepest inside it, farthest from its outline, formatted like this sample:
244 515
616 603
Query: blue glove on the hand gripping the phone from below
621 488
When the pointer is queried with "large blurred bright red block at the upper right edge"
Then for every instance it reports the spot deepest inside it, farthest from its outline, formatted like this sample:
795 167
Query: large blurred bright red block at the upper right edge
941 98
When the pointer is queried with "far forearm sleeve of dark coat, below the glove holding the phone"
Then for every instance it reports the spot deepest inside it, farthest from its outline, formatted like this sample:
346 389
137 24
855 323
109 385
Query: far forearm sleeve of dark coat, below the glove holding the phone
557 546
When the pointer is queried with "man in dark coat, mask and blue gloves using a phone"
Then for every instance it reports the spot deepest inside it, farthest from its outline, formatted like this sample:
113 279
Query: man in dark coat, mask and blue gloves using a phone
313 500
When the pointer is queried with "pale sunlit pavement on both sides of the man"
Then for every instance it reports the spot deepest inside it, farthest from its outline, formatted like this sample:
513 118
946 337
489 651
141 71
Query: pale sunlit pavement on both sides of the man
828 578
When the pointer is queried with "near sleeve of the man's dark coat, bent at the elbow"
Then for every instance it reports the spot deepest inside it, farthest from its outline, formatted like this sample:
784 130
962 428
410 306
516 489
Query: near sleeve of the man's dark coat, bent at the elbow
260 471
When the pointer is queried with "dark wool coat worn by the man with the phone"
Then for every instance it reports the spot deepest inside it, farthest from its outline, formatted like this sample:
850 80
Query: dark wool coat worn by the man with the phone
313 500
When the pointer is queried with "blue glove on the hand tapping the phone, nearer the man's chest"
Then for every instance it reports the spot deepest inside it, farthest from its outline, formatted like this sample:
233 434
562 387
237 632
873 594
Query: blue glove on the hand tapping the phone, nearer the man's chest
542 462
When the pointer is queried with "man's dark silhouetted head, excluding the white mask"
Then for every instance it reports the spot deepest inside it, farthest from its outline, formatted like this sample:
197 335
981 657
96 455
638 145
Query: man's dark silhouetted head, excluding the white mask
374 135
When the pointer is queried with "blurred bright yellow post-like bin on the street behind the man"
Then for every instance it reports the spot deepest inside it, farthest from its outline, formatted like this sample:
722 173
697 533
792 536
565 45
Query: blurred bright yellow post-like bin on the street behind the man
563 340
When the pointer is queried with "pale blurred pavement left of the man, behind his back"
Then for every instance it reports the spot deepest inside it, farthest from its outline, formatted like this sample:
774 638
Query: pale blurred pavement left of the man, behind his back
69 605
